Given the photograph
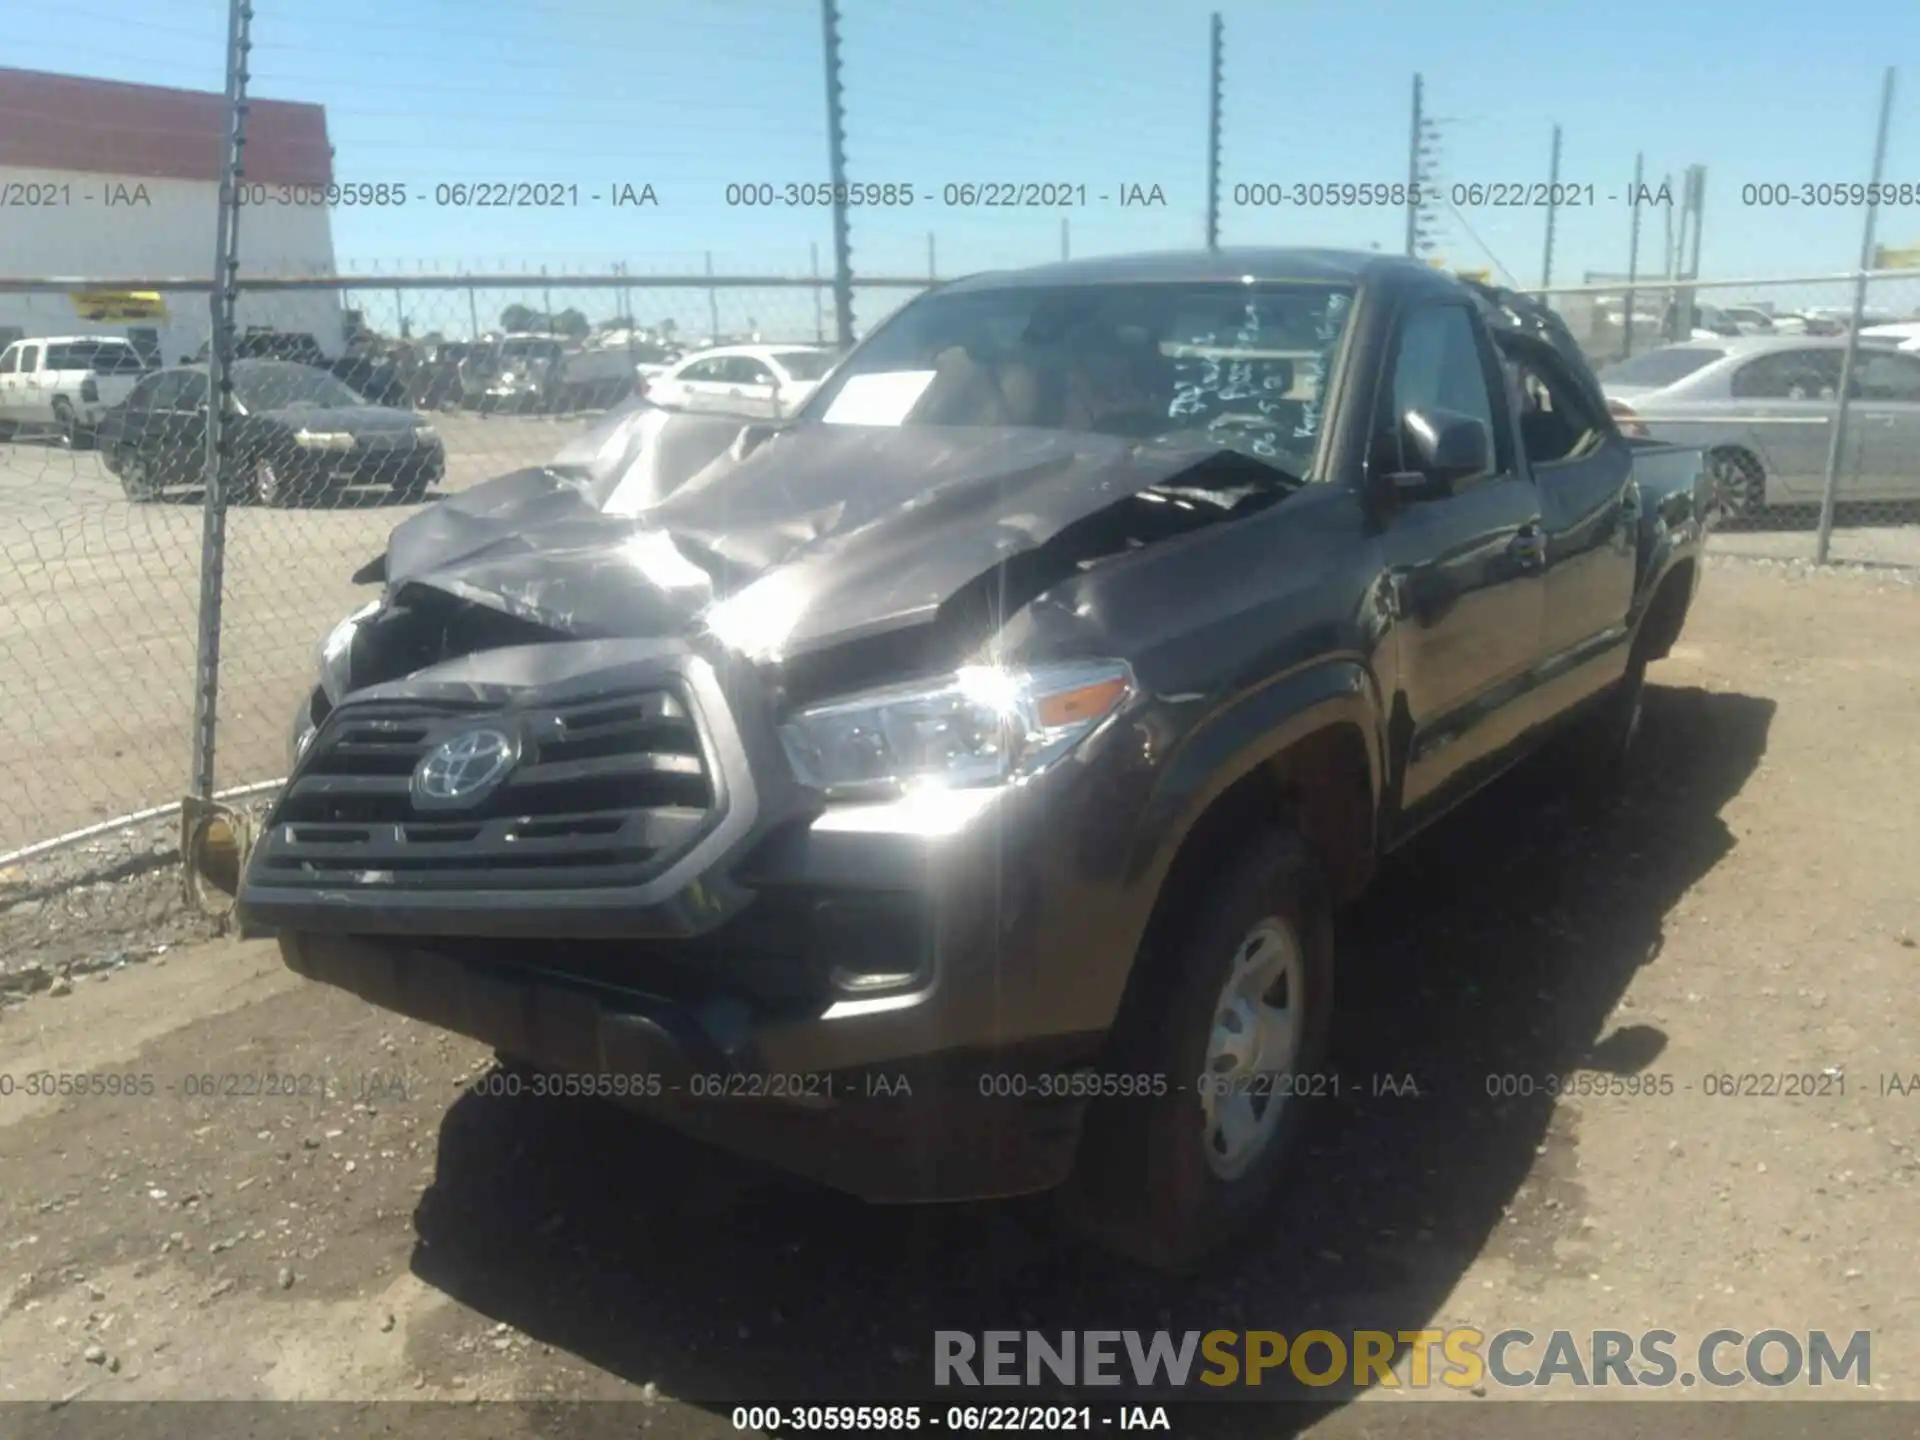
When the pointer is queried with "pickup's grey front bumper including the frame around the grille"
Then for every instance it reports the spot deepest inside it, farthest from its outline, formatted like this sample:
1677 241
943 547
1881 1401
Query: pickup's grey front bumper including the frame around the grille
842 994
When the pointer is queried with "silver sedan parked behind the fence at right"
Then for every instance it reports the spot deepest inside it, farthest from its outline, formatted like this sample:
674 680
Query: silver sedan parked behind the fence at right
1764 410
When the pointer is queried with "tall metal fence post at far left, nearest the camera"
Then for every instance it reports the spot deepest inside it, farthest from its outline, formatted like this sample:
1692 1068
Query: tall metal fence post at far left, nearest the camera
220 406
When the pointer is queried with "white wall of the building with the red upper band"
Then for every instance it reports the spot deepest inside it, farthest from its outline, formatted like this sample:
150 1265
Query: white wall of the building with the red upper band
124 228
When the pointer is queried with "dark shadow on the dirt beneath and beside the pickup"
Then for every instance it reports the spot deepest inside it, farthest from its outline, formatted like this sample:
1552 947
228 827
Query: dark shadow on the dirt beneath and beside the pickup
1500 949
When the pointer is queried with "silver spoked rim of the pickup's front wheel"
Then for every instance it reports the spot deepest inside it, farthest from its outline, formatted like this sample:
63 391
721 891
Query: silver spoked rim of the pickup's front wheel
1253 1047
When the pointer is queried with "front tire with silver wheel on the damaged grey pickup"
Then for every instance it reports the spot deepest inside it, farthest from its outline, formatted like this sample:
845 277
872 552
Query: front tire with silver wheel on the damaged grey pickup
1157 1180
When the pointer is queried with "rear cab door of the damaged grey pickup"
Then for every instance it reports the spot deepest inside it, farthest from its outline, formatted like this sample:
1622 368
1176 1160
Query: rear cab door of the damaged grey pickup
1591 512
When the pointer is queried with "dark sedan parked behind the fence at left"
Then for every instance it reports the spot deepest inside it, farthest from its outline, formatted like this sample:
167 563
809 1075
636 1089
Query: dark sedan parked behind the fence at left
299 433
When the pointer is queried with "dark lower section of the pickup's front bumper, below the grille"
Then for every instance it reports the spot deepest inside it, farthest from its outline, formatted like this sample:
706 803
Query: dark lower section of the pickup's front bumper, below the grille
861 1103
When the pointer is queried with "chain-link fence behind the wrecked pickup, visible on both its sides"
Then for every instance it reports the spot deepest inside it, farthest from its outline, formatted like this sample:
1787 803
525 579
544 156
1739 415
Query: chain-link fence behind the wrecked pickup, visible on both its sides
471 377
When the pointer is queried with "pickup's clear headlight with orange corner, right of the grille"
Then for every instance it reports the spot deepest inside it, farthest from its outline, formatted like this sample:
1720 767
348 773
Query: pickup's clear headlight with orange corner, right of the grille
982 727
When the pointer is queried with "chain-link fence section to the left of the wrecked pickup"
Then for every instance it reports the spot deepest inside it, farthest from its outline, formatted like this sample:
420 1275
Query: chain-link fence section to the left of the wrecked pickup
354 404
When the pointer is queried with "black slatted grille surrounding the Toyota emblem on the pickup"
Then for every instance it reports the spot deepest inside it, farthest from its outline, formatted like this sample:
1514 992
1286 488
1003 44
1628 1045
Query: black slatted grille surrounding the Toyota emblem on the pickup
608 792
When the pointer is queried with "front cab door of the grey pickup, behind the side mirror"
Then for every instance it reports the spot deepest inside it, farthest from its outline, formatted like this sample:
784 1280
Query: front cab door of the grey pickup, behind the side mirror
1466 569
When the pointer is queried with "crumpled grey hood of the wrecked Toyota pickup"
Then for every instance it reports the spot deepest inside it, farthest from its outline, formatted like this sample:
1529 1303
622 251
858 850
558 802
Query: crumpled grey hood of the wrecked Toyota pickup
661 523
